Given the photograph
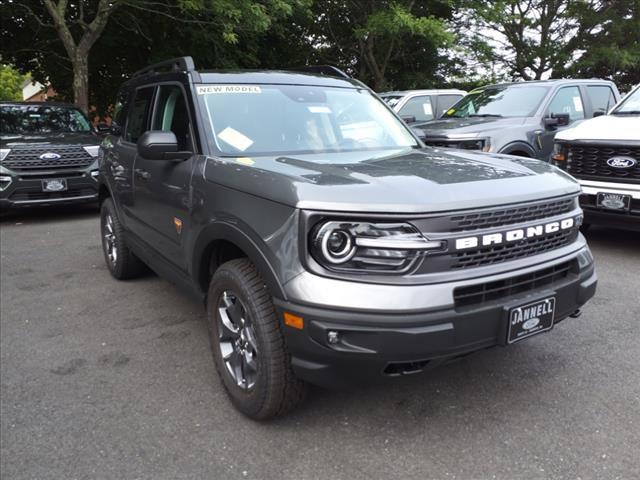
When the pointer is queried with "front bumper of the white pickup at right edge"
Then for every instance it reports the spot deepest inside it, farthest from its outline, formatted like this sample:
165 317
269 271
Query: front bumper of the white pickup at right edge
629 220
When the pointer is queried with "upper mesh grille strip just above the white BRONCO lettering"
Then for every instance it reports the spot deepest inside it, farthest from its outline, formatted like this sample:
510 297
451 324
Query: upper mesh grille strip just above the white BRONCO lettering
508 216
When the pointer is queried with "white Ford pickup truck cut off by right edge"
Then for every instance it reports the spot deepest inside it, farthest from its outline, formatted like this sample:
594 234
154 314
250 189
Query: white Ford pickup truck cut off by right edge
604 155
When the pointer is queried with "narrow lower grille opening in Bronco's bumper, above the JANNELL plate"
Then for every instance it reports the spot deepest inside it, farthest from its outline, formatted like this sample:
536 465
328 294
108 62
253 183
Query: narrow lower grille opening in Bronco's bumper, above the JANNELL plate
498 290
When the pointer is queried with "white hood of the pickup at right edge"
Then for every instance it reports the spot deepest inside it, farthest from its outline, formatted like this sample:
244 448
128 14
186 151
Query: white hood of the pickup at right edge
607 127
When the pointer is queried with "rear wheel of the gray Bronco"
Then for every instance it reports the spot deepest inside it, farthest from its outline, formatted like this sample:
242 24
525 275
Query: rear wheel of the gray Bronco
122 263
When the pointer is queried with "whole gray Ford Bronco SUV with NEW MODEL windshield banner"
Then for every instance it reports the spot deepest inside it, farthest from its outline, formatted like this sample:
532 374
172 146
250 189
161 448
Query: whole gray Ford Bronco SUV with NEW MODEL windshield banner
329 245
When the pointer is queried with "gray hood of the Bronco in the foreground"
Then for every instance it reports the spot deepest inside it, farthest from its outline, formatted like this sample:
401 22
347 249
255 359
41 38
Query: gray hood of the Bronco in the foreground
400 181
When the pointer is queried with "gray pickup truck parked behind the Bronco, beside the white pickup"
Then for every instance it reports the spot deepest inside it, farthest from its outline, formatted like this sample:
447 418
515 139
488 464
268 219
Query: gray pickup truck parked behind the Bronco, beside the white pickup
519 118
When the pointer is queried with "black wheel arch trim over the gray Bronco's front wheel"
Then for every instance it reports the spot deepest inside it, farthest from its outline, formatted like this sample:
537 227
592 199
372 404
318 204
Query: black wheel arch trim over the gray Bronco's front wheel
231 233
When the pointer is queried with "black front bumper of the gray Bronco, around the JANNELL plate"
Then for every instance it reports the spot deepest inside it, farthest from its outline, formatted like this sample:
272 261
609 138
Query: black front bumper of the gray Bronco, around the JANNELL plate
374 345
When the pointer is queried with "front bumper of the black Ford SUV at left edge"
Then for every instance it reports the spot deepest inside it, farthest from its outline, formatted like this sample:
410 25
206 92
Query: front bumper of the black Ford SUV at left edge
25 188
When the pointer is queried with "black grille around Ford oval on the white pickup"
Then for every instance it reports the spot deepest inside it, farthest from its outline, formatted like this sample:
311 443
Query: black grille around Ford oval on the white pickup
590 162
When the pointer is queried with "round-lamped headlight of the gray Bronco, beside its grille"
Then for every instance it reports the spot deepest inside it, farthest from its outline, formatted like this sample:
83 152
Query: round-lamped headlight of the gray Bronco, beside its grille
364 247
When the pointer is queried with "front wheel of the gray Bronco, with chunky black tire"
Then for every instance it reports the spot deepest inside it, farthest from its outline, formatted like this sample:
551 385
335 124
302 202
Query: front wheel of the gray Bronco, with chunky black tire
247 344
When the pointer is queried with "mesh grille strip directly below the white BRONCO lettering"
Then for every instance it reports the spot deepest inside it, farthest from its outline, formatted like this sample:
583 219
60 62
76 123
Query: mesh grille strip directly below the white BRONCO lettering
492 254
